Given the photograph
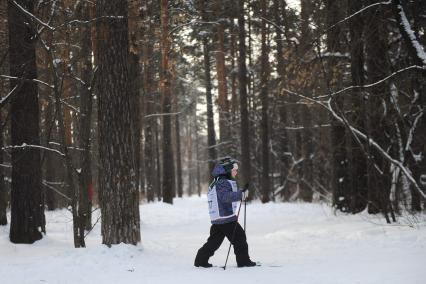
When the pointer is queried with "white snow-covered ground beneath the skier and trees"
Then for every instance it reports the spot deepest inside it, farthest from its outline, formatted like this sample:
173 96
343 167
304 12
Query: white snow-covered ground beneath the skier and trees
296 243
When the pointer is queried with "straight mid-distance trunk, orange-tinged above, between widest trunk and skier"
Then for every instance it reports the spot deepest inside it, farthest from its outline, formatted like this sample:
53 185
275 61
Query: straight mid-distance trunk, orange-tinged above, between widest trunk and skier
165 78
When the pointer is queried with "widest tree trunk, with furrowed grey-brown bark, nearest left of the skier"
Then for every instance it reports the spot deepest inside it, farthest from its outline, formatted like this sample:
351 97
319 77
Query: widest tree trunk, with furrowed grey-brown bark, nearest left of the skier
120 197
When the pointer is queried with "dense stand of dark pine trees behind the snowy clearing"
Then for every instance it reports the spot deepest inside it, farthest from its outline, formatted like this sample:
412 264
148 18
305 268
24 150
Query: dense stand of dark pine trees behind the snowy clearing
105 104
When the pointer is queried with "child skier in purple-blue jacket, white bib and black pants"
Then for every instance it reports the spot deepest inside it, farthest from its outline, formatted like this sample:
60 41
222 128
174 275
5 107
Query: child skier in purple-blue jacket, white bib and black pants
223 197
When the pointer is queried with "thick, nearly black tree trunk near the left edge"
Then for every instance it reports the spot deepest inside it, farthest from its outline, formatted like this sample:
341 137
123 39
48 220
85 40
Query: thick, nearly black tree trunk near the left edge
27 208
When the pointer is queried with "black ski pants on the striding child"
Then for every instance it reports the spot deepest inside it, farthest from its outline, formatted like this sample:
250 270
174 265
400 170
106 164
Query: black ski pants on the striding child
217 233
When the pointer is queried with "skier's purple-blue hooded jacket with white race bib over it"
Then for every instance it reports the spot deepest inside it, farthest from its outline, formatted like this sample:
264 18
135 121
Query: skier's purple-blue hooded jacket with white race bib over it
223 197
